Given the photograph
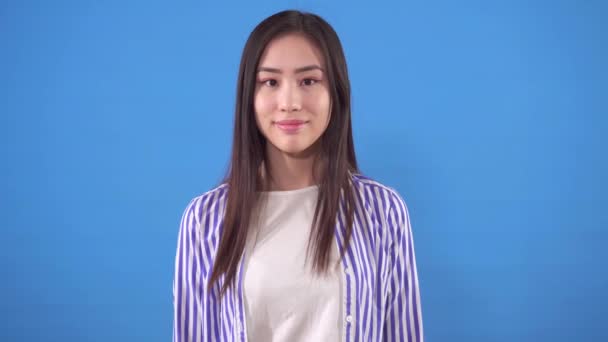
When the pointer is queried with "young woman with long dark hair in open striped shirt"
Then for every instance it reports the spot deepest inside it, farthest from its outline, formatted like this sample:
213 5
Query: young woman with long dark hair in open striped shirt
295 244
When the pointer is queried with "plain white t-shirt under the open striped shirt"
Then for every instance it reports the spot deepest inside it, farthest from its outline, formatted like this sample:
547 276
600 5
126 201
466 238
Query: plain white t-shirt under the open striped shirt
284 299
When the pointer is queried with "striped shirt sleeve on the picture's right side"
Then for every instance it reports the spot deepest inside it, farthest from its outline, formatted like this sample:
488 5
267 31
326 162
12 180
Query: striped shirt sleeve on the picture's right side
403 320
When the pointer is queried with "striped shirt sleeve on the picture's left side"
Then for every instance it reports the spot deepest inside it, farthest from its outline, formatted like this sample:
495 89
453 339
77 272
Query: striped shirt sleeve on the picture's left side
187 287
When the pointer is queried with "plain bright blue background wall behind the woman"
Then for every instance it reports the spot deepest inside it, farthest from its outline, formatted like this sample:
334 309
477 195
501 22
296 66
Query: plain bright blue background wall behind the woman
489 117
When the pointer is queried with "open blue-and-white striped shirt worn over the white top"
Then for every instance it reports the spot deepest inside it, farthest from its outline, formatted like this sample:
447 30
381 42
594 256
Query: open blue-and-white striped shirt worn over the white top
381 294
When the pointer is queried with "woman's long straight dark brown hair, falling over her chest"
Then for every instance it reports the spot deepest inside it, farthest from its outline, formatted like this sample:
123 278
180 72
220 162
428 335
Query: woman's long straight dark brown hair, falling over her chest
337 154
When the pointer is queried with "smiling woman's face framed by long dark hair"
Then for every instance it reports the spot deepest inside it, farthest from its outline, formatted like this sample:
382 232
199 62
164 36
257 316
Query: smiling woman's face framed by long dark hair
292 101
